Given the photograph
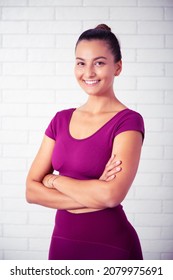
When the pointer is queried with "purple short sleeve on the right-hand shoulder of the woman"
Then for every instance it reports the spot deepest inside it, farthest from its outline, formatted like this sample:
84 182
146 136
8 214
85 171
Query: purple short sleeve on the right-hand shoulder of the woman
131 121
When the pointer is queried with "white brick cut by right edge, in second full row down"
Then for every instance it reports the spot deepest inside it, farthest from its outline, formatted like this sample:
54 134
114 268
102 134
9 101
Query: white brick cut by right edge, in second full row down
157 27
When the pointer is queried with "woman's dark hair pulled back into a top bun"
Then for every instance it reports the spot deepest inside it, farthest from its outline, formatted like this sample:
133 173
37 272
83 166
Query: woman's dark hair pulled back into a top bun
103 32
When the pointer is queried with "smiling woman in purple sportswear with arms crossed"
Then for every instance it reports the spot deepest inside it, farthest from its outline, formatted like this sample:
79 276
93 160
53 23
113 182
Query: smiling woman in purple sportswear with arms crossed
81 144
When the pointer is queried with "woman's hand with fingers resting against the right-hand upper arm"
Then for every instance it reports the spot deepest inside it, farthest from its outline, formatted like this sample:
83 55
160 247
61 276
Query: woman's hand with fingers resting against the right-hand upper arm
111 169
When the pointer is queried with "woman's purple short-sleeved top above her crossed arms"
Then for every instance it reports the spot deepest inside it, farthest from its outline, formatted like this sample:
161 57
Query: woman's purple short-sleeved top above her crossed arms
86 158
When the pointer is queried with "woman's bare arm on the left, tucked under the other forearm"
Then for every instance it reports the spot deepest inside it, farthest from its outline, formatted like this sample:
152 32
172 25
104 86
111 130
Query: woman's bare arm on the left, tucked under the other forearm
35 190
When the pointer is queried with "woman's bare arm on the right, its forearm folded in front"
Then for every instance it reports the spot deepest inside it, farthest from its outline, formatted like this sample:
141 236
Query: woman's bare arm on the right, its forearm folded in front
101 194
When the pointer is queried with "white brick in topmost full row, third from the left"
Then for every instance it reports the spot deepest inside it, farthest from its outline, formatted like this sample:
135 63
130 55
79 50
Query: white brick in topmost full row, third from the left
136 13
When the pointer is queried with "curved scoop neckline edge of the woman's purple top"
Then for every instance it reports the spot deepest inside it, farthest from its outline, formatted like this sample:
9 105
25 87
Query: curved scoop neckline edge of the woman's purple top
97 131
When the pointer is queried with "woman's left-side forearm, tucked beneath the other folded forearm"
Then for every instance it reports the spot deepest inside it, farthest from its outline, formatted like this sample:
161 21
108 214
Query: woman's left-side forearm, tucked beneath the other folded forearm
37 193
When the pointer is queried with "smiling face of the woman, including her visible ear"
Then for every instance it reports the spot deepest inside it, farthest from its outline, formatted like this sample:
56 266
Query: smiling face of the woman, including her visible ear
95 68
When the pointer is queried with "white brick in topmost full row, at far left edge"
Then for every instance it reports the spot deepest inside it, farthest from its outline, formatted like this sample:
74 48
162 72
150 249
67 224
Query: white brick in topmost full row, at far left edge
27 13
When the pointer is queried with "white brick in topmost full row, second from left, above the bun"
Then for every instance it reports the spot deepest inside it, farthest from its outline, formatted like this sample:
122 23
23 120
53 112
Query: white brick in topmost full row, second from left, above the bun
82 13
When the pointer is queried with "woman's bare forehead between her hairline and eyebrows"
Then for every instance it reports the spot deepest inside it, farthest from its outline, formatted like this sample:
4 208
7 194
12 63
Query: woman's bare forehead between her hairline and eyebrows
88 49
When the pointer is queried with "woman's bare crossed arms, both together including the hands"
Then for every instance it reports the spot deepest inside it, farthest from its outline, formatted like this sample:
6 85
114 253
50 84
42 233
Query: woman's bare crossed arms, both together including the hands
62 192
